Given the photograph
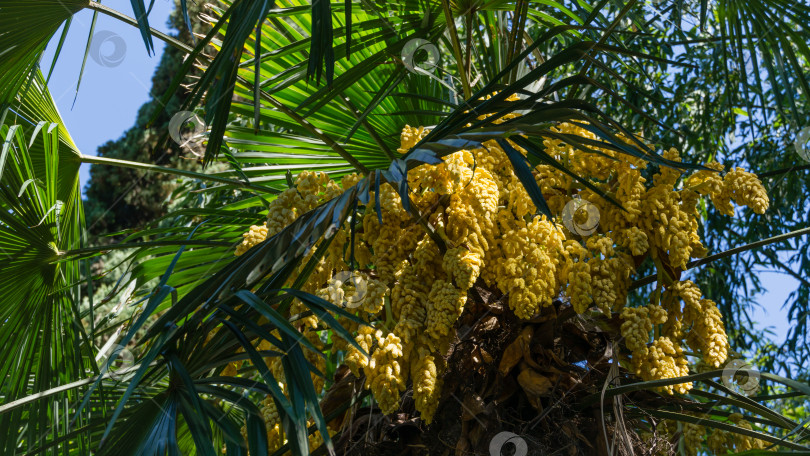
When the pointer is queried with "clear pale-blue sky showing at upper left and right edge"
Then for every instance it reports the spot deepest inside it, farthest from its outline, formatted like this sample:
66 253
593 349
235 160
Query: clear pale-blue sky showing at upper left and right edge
110 95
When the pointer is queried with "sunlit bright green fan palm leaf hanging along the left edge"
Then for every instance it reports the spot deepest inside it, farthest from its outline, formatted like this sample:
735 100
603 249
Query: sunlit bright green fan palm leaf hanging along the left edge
44 342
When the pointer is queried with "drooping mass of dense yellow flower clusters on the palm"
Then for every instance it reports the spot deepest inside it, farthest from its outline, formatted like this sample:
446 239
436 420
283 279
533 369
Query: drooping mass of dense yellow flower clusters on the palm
478 207
